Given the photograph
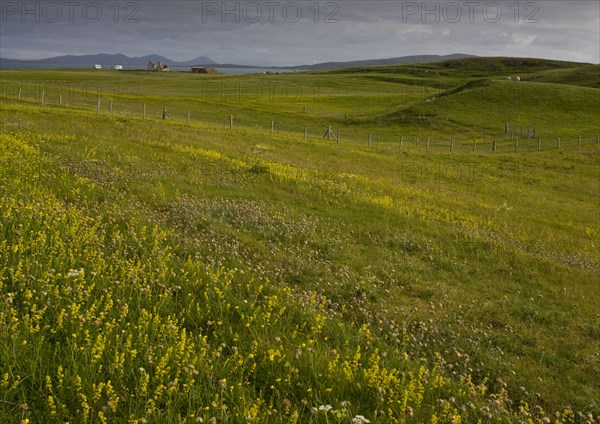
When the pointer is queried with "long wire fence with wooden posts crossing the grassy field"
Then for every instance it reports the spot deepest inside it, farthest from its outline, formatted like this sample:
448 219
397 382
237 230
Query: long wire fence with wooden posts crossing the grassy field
514 138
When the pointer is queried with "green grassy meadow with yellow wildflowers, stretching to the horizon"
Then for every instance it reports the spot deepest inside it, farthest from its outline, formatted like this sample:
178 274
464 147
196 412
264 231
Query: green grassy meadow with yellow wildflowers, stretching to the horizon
160 271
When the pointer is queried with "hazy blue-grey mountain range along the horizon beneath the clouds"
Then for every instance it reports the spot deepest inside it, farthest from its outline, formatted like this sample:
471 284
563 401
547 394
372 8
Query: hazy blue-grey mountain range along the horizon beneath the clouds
141 61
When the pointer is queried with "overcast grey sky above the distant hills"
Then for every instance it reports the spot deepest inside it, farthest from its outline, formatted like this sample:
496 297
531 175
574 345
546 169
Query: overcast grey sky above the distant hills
300 32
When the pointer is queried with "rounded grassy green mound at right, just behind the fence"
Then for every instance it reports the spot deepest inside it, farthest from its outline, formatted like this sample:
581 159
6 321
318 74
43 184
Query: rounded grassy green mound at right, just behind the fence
553 109
